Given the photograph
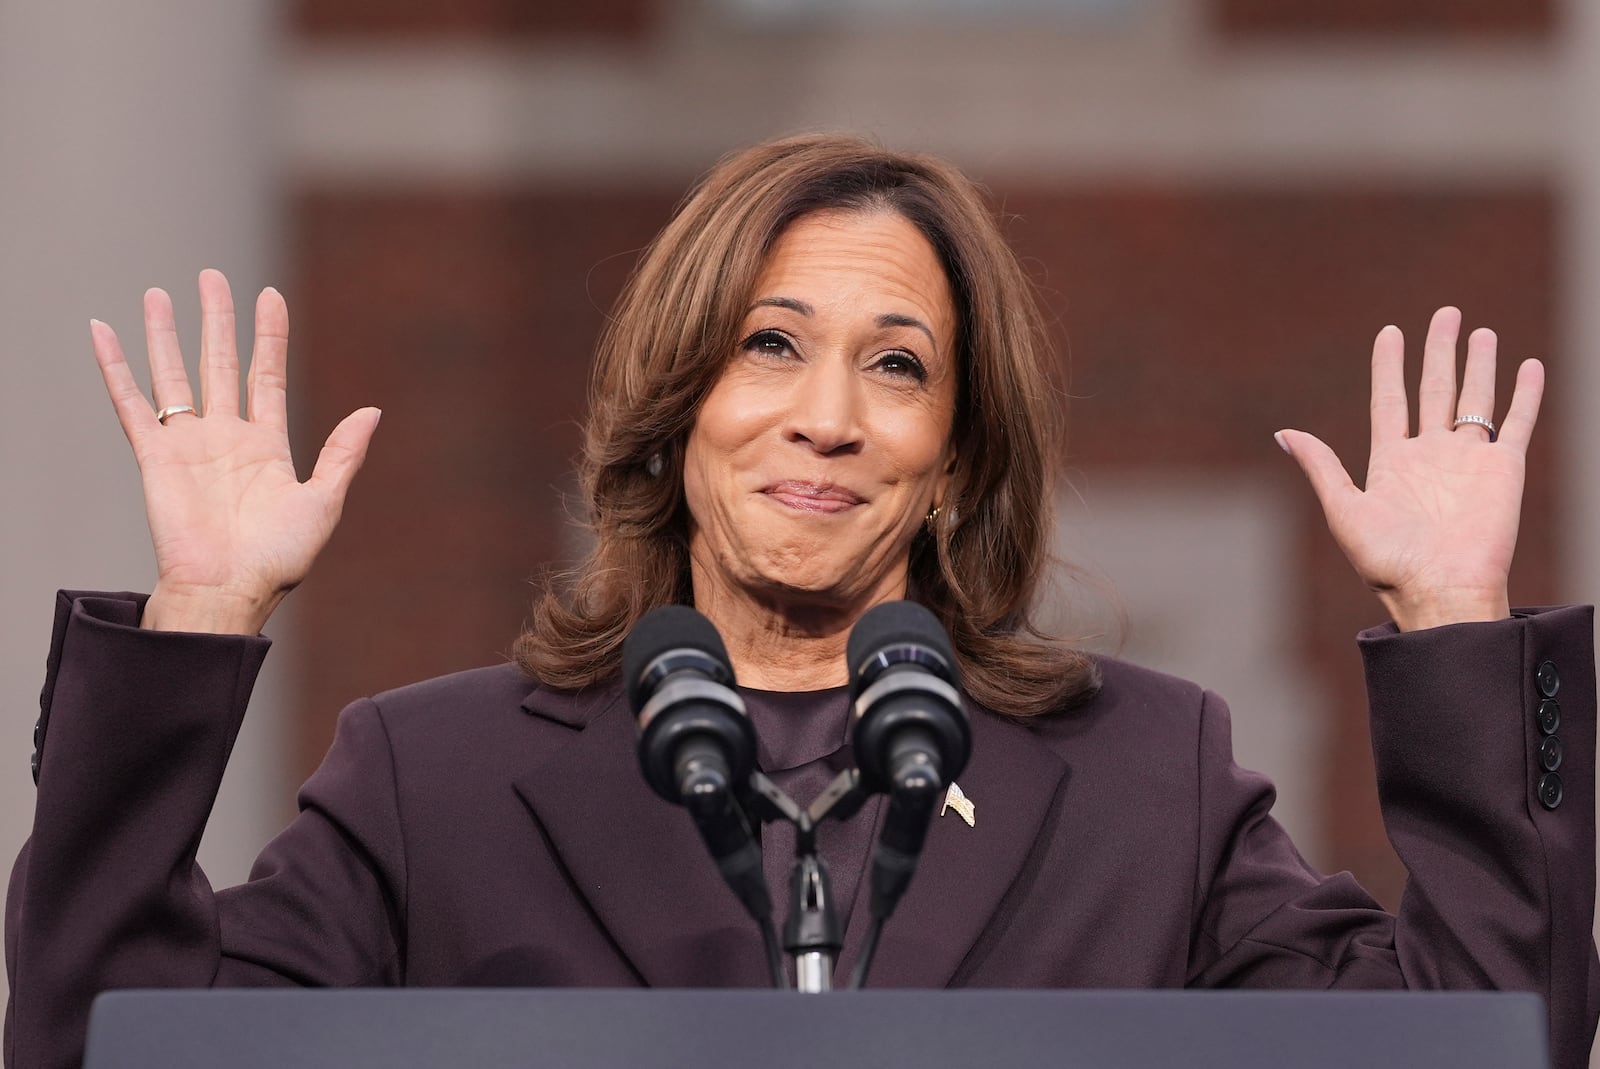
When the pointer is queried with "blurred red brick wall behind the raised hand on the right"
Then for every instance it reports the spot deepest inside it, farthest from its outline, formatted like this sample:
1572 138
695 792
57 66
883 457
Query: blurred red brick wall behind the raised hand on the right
1199 324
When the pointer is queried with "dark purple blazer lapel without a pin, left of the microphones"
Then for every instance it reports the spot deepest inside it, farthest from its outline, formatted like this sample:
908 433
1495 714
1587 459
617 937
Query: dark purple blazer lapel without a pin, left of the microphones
636 859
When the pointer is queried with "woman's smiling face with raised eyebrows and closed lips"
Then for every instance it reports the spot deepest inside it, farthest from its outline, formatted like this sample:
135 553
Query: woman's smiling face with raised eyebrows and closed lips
828 438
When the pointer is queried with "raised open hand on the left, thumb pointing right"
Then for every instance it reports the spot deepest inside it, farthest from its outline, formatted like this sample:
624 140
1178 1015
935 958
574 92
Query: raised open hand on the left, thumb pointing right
234 529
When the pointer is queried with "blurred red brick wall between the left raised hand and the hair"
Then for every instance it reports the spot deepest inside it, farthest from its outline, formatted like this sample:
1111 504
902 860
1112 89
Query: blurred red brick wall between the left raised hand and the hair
470 321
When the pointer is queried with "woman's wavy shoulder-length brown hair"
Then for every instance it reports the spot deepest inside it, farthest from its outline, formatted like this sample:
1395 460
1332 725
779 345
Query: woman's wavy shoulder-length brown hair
674 329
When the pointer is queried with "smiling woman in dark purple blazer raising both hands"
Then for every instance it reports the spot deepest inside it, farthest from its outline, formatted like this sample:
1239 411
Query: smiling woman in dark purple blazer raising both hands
822 391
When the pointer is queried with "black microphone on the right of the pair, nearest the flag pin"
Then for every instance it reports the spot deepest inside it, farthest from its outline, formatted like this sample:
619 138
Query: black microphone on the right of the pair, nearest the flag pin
911 737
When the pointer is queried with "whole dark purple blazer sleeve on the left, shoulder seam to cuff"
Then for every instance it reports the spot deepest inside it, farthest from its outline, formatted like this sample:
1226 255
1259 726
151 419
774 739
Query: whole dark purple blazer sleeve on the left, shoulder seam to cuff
135 734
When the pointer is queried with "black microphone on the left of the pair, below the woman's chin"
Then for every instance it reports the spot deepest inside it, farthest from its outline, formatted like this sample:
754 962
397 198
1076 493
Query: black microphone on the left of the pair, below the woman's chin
697 745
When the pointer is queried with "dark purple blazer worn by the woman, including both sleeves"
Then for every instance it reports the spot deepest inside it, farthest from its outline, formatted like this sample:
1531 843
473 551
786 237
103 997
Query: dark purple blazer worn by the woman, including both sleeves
481 830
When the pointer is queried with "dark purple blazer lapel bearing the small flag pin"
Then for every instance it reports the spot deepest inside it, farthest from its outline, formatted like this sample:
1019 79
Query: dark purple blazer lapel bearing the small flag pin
964 873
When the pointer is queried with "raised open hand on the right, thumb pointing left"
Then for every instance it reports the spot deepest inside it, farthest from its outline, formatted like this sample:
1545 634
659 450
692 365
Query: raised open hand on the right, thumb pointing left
1436 527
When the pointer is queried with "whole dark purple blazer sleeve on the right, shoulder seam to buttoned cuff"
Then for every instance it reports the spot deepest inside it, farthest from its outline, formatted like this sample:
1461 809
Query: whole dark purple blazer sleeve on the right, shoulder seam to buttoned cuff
1498 846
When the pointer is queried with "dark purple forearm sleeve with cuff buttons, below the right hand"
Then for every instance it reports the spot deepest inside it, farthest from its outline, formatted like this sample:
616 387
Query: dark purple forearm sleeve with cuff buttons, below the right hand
1502 873
